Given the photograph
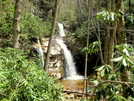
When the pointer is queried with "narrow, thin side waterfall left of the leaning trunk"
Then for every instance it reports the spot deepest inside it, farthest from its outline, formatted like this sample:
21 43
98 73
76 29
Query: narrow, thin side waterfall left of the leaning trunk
40 52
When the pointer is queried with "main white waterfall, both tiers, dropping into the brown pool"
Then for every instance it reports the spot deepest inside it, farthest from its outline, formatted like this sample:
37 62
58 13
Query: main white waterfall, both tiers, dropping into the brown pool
70 69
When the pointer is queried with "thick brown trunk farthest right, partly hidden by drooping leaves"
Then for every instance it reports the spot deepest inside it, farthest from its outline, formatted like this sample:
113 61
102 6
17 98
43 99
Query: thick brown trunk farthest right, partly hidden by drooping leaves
121 40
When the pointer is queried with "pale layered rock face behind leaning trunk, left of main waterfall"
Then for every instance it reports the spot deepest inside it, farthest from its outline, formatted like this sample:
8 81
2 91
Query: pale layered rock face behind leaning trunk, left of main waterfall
56 58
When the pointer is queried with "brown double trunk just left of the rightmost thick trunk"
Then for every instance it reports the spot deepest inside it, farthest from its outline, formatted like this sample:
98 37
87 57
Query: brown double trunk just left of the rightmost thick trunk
110 34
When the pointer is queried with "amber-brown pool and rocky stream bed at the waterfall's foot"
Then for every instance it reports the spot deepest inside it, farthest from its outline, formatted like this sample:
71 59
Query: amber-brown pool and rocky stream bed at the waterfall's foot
73 89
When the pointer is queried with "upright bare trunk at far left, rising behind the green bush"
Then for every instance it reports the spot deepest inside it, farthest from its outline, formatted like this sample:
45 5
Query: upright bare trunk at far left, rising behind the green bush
16 28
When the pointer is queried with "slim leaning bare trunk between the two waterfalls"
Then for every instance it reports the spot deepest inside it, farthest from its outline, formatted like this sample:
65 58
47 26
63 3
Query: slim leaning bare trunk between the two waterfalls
52 35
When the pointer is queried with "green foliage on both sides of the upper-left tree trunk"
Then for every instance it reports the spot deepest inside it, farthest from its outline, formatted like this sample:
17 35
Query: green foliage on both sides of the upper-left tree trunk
31 26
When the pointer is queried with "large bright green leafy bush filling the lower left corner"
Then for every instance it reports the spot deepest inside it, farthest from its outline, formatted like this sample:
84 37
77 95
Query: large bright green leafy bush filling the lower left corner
23 80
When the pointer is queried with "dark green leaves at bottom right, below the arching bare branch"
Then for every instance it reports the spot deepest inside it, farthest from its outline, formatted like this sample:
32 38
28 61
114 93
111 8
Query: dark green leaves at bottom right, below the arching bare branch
107 91
